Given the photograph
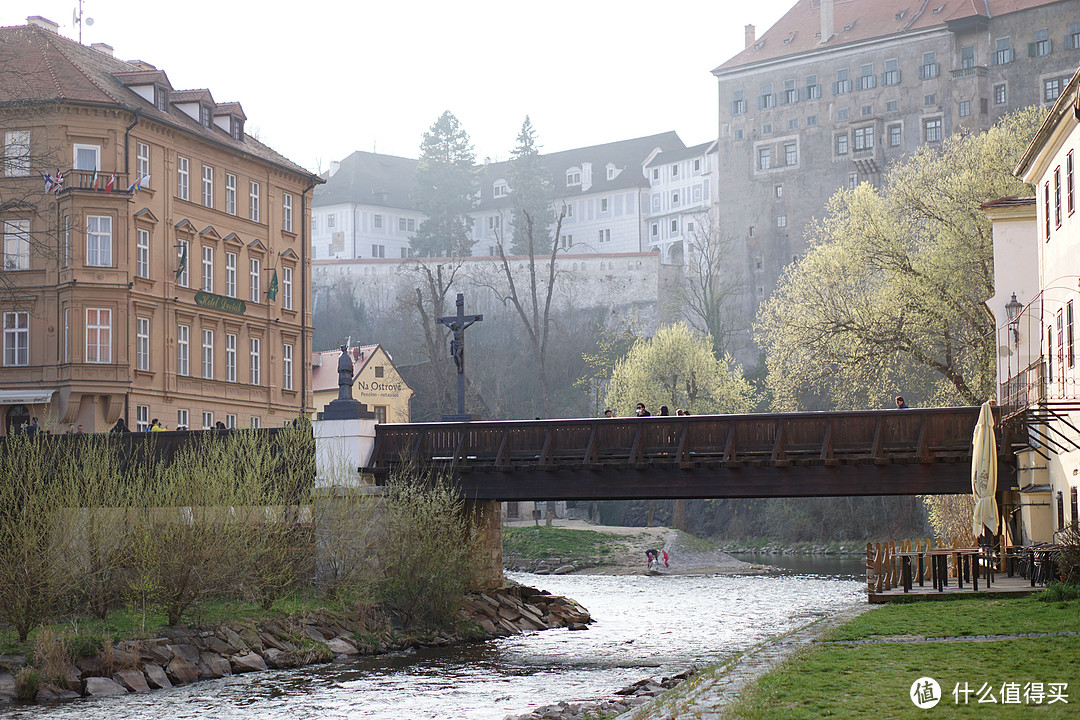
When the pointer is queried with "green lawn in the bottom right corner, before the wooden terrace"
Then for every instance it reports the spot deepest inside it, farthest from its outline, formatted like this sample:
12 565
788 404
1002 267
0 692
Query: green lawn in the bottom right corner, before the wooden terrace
850 681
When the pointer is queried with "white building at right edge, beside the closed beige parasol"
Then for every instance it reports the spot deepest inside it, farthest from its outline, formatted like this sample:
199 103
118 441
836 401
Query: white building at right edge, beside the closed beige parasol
1041 396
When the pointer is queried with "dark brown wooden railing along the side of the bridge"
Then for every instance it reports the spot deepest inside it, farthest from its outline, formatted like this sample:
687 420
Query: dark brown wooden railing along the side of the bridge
875 437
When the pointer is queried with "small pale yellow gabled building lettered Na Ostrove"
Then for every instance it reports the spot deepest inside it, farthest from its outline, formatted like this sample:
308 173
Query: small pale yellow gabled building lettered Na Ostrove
375 383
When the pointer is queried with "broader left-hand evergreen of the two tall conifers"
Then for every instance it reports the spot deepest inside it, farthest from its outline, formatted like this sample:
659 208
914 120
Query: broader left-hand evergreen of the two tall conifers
445 189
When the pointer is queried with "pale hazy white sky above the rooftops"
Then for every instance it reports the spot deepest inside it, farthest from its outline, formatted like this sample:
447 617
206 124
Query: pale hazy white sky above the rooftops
319 80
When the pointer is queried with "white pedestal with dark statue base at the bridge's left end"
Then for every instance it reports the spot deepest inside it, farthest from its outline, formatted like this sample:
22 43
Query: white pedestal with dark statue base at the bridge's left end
345 437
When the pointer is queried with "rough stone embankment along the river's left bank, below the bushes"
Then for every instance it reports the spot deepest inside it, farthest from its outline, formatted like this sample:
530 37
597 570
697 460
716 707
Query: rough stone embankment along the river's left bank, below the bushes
181 657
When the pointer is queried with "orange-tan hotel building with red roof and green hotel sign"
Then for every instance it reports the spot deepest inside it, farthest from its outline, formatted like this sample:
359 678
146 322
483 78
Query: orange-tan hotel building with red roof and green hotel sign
156 255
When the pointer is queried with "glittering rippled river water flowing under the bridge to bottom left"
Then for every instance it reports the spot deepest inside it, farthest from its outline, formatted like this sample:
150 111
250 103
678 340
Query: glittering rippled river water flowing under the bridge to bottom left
643 627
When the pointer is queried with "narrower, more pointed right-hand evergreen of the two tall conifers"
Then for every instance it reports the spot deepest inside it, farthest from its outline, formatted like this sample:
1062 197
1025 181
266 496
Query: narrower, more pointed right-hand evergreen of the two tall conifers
532 194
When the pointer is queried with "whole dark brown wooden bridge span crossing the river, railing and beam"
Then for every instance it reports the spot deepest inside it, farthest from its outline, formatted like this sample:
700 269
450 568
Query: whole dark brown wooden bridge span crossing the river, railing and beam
863 453
